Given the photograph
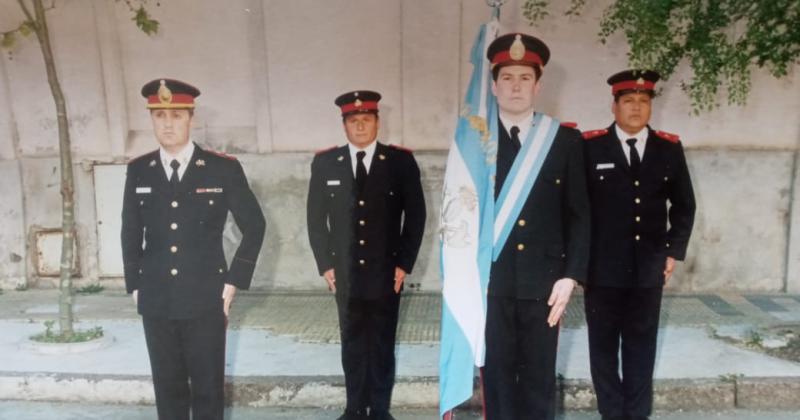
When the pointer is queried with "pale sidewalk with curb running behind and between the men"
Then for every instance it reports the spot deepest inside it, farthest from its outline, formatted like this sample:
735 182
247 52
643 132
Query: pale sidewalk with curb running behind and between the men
283 351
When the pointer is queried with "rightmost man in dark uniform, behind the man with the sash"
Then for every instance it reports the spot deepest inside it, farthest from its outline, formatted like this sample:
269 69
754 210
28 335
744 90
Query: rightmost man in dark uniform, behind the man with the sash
638 181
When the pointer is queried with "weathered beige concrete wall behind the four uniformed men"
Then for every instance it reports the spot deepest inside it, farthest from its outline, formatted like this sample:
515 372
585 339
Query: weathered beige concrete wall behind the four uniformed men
269 71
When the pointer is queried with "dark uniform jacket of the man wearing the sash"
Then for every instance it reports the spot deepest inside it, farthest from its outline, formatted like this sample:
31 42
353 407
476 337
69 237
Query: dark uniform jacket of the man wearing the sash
550 238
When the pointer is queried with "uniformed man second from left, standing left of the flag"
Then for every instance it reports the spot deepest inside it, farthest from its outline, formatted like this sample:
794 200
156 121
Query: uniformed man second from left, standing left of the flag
366 216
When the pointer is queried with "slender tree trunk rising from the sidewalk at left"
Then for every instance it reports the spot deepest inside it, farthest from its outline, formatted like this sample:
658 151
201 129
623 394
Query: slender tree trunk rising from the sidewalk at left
65 315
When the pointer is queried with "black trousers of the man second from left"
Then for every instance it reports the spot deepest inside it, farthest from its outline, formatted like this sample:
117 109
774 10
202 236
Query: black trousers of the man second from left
368 329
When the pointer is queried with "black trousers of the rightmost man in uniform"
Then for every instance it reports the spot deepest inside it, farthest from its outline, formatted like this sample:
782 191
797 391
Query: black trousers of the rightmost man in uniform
623 320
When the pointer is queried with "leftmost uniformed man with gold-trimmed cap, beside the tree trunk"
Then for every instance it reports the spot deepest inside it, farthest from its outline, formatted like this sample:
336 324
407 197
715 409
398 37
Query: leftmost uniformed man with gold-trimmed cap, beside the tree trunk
176 201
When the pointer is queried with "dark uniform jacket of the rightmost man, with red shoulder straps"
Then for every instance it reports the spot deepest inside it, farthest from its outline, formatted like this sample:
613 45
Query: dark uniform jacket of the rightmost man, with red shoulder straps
630 238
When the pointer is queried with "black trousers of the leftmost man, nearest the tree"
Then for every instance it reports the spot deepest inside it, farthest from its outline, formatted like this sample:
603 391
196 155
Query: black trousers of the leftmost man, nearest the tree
187 358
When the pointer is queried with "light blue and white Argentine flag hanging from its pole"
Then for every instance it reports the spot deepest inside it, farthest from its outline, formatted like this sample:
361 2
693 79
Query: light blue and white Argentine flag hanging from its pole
466 228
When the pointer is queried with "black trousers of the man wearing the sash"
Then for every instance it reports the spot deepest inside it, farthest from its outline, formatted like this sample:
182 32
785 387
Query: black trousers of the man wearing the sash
519 375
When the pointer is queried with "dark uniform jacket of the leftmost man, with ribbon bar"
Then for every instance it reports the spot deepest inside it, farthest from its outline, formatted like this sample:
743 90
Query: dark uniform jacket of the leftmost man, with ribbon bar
172 240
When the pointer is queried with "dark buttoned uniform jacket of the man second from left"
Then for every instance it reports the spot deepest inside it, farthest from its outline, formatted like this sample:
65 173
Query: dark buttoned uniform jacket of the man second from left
363 238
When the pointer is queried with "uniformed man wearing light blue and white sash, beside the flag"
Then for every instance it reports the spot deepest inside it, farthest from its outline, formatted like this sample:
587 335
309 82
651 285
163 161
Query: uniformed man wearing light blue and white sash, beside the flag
546 253
